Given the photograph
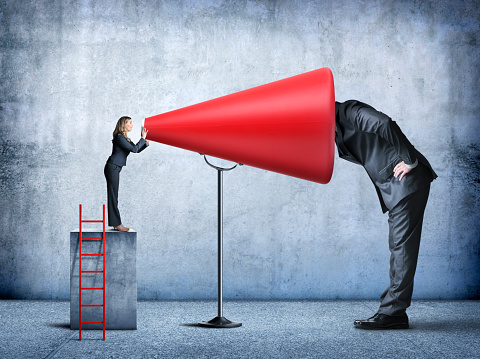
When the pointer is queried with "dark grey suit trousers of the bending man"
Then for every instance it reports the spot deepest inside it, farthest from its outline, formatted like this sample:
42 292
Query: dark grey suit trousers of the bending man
405 228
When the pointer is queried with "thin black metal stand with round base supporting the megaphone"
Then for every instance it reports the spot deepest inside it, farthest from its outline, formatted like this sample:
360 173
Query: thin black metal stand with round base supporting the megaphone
220 321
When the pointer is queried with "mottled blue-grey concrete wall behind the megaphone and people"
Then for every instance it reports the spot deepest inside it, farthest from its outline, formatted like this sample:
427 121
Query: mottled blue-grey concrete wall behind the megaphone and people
70 69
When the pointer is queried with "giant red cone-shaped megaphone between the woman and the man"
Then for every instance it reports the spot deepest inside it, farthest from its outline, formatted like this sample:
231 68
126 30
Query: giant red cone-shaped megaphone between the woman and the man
286 126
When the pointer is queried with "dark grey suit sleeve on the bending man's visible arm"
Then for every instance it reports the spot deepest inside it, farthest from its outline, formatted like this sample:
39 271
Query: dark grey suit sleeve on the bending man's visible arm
373 121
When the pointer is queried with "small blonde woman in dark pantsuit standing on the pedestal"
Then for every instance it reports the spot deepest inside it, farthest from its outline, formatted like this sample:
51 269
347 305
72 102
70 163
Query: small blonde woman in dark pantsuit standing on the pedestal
122 146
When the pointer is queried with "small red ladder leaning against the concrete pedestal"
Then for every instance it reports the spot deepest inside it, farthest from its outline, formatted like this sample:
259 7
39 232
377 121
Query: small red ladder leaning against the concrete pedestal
80 288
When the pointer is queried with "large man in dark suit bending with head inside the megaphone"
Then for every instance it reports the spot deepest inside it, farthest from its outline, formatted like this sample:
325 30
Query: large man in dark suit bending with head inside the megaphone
401 176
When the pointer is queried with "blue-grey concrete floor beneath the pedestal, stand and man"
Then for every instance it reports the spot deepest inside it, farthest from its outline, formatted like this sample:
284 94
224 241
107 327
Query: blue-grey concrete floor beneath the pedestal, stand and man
271 329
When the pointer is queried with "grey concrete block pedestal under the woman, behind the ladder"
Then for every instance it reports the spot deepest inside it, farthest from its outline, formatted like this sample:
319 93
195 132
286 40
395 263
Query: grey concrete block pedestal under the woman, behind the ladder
120 279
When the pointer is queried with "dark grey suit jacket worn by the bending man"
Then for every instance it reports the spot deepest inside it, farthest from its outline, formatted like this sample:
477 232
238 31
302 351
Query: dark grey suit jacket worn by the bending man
370 138
